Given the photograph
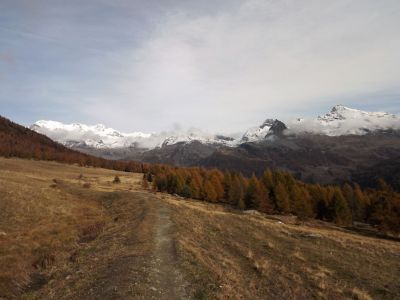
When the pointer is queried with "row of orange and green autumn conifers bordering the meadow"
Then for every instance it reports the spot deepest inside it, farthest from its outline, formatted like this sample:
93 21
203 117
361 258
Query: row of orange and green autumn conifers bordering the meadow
279 192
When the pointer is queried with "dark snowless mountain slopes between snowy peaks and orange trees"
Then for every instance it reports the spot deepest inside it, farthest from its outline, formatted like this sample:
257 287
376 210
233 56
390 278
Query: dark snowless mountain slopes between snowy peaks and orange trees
311 158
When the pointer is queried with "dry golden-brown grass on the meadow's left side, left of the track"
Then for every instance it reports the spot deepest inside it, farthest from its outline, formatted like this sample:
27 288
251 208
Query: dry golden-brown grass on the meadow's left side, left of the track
43 220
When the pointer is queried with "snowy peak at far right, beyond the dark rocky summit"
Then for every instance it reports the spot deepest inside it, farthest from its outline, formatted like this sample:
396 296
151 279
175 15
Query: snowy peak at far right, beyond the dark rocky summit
342 120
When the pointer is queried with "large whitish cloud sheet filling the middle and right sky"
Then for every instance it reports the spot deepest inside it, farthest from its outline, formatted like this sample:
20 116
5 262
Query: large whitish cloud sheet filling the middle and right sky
224 71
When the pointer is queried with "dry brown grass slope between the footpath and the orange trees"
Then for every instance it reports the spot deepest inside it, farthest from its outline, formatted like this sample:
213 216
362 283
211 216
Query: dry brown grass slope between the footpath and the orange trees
235 255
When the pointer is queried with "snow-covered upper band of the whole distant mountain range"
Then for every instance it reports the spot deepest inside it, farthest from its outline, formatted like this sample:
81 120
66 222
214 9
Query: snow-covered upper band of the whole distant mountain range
340 120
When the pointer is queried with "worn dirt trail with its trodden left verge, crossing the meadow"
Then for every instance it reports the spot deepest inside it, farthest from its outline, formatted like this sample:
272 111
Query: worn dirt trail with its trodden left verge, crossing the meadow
149 269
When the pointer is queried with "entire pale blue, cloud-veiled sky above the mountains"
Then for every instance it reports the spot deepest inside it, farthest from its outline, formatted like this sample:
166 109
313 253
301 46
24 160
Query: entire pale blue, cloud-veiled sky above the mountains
214 65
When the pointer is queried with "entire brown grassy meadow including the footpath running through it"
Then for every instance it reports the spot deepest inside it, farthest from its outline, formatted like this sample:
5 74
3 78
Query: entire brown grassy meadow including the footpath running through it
69 232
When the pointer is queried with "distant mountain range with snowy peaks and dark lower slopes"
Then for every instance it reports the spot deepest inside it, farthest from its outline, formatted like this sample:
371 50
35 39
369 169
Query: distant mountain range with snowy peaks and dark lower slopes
342 145
